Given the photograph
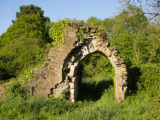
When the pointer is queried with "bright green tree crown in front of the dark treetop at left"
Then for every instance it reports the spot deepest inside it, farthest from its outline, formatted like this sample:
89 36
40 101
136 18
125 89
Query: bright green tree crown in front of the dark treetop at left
29 26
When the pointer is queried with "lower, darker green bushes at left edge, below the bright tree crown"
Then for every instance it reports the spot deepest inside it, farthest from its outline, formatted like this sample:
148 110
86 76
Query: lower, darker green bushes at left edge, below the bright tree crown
20 54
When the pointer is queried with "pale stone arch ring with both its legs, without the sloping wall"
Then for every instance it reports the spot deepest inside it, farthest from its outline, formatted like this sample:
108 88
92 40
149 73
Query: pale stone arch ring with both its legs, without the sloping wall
79 53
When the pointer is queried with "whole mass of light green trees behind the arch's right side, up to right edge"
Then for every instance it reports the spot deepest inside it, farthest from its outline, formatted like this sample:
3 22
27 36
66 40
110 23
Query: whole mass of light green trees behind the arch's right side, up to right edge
136 39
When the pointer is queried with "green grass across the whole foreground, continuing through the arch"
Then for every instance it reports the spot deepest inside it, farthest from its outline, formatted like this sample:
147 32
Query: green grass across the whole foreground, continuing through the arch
94 105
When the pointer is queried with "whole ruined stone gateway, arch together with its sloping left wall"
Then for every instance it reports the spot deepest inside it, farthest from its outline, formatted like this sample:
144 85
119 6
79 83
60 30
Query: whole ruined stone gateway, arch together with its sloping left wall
59 74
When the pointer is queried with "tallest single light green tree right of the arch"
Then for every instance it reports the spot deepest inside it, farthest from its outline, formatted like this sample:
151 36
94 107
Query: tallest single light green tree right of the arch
130 36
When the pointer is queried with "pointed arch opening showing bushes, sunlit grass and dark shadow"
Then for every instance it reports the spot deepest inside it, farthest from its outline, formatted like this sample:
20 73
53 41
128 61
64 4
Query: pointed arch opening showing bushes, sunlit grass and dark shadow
95 75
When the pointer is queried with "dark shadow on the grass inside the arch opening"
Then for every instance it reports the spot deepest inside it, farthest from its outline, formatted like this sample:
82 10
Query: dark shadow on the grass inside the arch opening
92 91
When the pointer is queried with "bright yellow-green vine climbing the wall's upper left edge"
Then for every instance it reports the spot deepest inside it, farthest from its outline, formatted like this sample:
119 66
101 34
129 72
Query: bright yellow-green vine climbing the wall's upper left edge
57 32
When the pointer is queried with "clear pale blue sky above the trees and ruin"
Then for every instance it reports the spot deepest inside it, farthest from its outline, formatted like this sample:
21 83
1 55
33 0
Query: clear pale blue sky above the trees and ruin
59 9
